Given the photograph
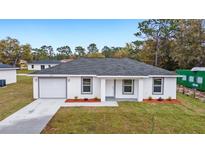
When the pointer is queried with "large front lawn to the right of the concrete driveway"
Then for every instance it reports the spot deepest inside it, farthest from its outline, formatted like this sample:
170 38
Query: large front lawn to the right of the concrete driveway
188 117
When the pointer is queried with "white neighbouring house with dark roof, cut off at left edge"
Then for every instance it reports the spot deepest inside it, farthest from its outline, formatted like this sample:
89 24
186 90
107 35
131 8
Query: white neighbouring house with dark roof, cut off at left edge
7 73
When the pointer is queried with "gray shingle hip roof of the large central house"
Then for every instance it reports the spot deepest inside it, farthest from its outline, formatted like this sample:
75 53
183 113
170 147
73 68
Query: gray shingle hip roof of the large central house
105 66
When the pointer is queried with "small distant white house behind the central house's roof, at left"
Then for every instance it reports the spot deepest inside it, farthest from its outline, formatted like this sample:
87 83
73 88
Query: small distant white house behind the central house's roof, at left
42 64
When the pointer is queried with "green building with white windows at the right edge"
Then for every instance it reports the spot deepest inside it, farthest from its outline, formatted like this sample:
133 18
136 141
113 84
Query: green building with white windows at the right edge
194 78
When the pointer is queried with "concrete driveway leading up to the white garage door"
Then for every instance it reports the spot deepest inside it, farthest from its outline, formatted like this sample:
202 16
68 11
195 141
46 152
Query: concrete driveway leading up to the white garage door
32 118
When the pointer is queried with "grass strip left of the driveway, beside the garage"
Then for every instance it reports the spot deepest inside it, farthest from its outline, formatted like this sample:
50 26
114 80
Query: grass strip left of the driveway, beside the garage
15 96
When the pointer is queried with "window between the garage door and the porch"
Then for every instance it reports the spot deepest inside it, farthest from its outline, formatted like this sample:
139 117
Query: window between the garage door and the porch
86 85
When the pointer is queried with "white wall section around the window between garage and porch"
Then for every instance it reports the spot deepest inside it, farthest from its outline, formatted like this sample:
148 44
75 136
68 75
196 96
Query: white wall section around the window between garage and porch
74 88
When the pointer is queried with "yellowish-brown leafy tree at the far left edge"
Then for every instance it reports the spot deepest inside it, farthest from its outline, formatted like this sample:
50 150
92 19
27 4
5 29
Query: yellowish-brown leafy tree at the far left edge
11 51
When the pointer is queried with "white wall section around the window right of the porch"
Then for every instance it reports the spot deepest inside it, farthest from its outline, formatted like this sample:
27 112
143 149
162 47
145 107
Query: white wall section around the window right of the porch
169 88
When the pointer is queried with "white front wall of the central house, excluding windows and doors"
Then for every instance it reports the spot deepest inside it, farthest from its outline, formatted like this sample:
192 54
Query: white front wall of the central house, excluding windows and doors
142 88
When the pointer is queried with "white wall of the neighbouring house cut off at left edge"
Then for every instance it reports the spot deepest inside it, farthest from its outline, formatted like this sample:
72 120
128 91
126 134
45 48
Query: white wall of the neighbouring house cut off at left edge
8 75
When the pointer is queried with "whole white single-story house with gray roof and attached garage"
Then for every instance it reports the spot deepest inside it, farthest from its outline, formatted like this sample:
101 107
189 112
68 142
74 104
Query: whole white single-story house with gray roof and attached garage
105 78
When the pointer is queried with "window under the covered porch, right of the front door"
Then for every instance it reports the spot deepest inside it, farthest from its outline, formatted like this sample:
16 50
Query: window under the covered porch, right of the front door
128 87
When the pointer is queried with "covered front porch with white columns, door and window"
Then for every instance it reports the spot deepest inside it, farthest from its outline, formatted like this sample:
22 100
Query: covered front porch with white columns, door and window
121 89
